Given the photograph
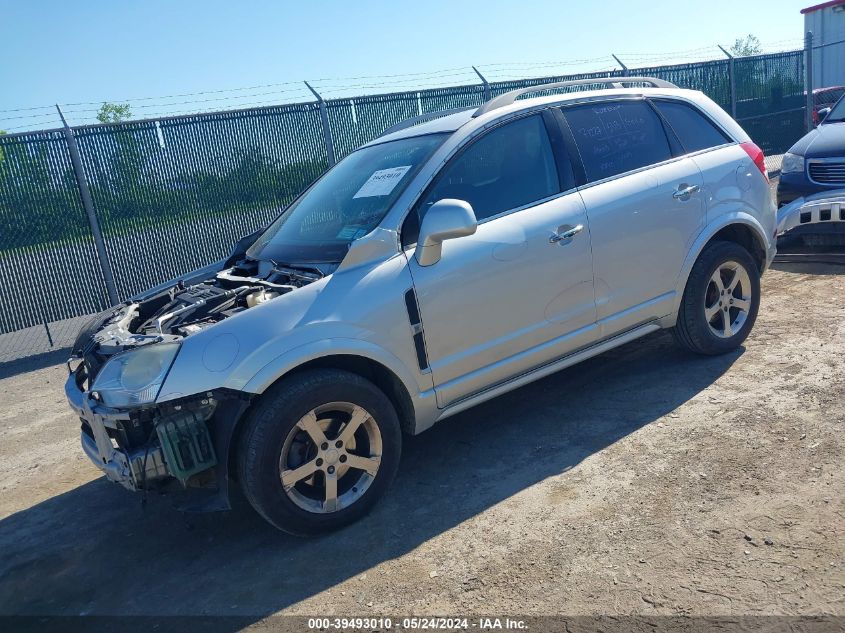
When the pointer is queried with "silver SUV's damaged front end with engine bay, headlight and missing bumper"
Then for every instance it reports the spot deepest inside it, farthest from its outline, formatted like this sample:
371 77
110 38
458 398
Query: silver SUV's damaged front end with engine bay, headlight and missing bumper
121 359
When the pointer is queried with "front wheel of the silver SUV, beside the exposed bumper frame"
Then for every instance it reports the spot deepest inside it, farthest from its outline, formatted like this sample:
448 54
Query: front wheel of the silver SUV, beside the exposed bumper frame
281 435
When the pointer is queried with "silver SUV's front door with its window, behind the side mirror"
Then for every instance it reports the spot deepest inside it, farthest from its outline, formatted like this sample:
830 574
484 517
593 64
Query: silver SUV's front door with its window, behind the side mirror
513 295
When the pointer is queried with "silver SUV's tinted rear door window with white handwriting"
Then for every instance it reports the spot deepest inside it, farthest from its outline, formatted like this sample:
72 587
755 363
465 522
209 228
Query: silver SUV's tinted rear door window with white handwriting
617 137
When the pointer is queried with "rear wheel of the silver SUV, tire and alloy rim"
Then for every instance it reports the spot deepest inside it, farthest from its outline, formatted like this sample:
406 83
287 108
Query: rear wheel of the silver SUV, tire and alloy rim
732 312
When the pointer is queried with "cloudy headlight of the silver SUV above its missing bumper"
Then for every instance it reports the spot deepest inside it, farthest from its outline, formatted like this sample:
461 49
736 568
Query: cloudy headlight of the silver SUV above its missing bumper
134 378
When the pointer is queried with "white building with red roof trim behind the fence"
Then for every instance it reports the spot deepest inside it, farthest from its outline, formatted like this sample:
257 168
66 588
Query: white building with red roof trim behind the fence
826 21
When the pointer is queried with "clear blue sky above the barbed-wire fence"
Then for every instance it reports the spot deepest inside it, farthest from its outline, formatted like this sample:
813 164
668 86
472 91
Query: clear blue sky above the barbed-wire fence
86 52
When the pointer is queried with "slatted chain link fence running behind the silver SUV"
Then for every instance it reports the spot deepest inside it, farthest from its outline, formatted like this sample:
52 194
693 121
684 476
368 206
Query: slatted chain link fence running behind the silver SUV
173 194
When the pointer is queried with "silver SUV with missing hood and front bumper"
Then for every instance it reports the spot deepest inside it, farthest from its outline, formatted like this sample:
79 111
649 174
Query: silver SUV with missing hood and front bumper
458 256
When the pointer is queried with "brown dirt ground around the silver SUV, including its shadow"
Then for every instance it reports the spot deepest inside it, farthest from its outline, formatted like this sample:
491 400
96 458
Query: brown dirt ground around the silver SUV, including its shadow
644 481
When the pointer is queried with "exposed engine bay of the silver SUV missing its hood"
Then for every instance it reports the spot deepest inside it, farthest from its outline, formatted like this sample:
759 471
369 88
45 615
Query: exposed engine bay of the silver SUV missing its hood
181 310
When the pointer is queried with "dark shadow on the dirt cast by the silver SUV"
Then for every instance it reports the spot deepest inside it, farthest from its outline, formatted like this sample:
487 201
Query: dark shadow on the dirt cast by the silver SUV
94 550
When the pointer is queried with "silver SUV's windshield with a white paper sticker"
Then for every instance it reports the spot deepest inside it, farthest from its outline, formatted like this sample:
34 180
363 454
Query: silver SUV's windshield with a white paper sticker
345 204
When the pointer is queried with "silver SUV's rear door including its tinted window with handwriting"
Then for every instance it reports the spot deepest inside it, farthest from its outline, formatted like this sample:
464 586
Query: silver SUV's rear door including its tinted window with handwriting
644 204
